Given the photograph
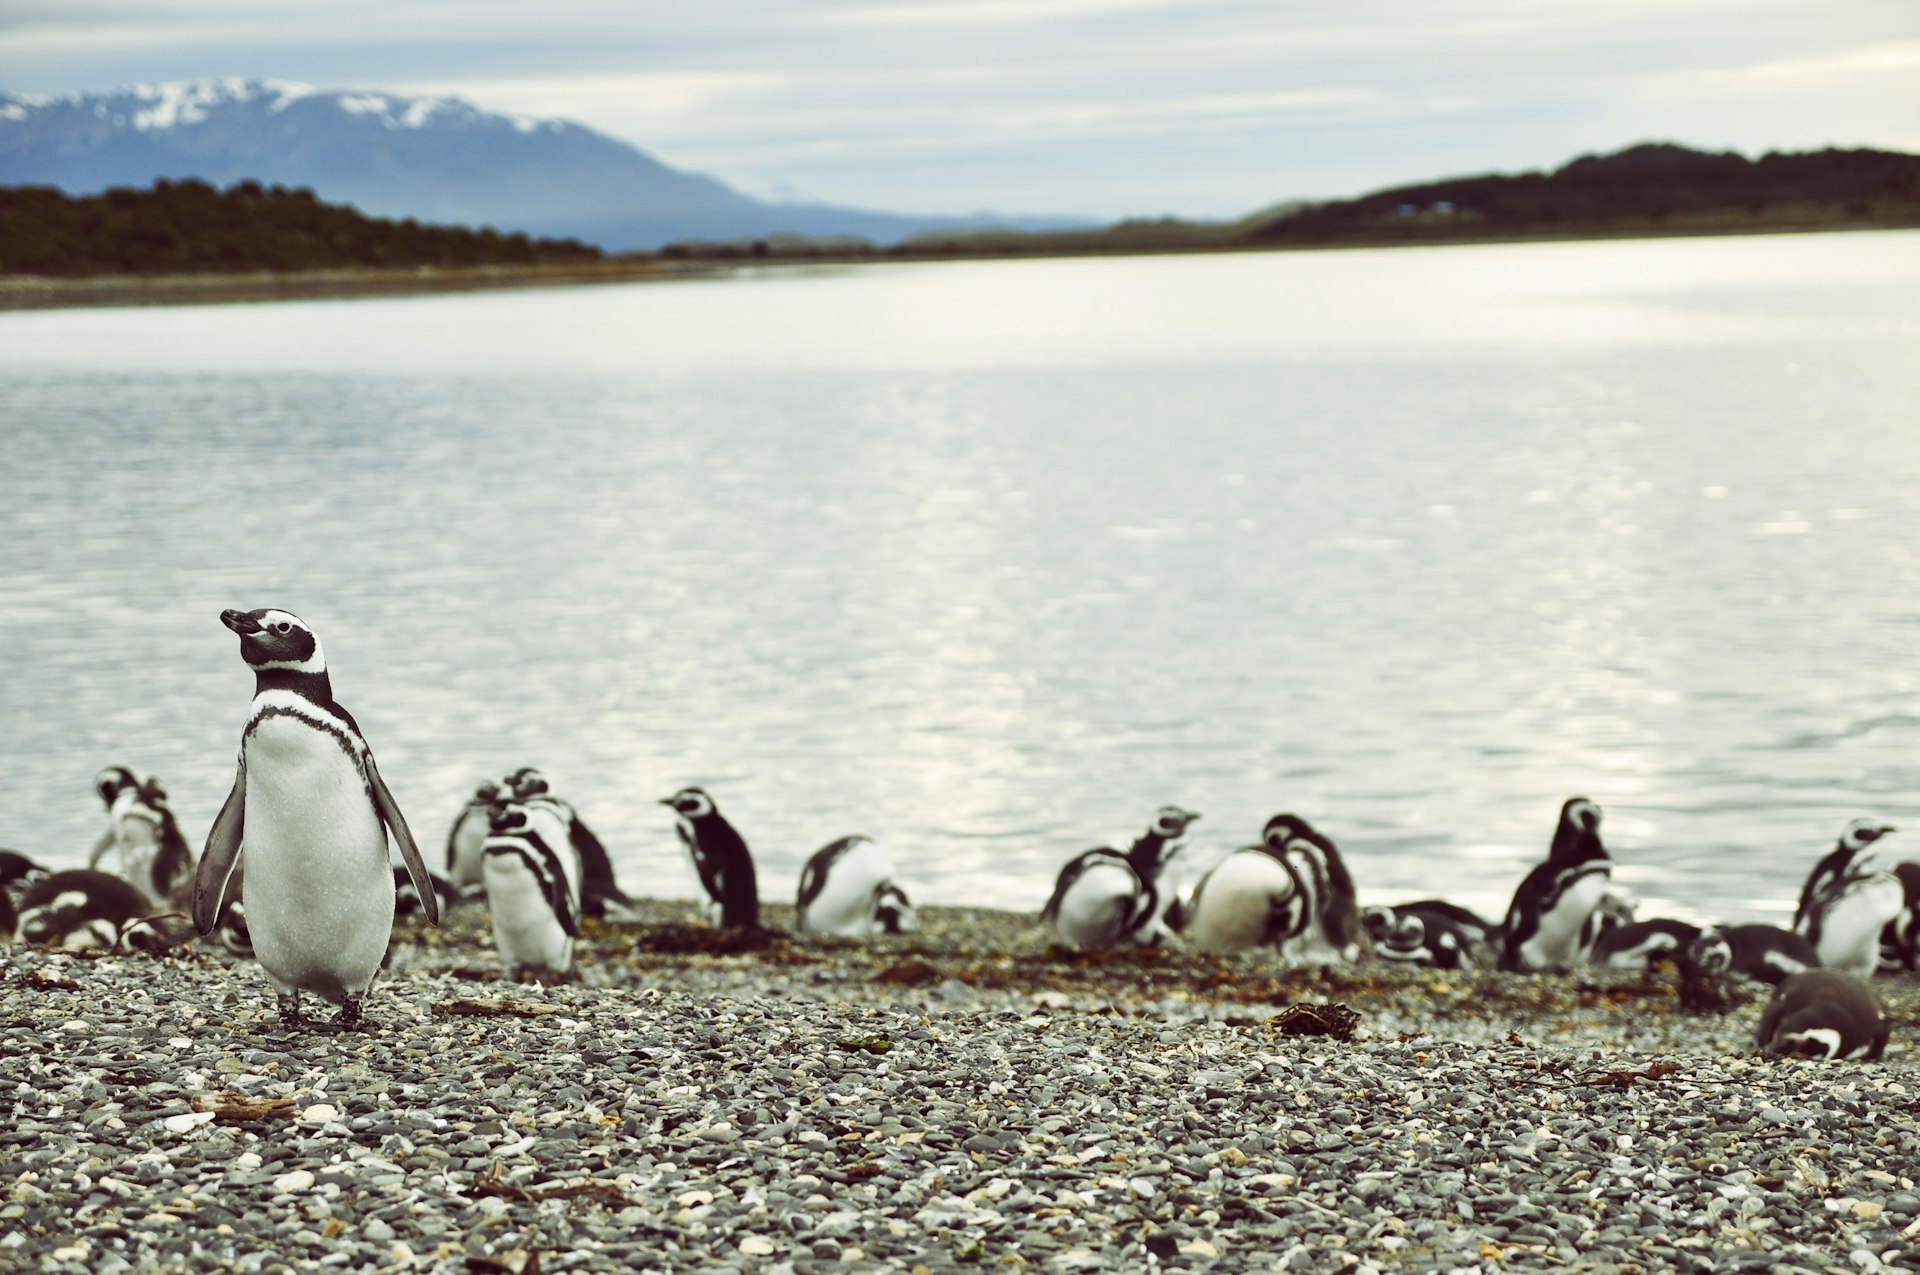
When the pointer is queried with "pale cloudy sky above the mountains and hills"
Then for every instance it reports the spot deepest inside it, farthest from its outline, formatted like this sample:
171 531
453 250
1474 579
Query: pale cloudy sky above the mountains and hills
1092 108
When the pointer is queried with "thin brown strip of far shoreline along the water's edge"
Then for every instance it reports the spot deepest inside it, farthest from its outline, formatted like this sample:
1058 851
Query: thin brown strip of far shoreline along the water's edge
36 293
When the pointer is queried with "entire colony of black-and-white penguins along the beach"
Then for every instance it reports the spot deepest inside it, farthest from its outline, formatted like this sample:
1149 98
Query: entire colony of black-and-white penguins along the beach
316 892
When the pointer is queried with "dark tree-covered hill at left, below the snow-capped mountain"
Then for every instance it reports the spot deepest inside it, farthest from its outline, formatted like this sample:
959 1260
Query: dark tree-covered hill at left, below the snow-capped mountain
187 228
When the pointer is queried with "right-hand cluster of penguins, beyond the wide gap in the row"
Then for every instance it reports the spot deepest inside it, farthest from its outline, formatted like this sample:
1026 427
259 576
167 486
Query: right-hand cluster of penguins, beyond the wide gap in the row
1293 894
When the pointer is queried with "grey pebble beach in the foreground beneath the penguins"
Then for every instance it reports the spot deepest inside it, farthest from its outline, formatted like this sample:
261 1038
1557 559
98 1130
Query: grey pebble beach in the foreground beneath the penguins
961 1099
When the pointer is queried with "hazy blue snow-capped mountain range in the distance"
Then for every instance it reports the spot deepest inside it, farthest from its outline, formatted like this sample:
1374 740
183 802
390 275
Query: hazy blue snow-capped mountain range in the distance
437 160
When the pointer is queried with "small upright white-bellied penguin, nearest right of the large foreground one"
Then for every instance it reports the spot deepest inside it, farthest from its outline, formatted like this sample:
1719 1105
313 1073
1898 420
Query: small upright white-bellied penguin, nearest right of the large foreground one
533 890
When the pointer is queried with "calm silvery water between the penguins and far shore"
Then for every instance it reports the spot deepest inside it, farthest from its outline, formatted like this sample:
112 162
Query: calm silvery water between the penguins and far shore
994 560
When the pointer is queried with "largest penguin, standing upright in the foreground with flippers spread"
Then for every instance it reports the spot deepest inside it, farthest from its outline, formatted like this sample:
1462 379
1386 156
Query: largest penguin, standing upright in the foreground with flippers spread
314 813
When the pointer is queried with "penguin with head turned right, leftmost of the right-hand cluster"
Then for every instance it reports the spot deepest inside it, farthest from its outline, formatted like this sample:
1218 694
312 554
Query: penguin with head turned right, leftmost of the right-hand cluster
1111 900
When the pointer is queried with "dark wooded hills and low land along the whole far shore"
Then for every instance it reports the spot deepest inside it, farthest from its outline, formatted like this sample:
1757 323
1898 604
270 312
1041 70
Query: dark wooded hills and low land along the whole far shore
193 229
